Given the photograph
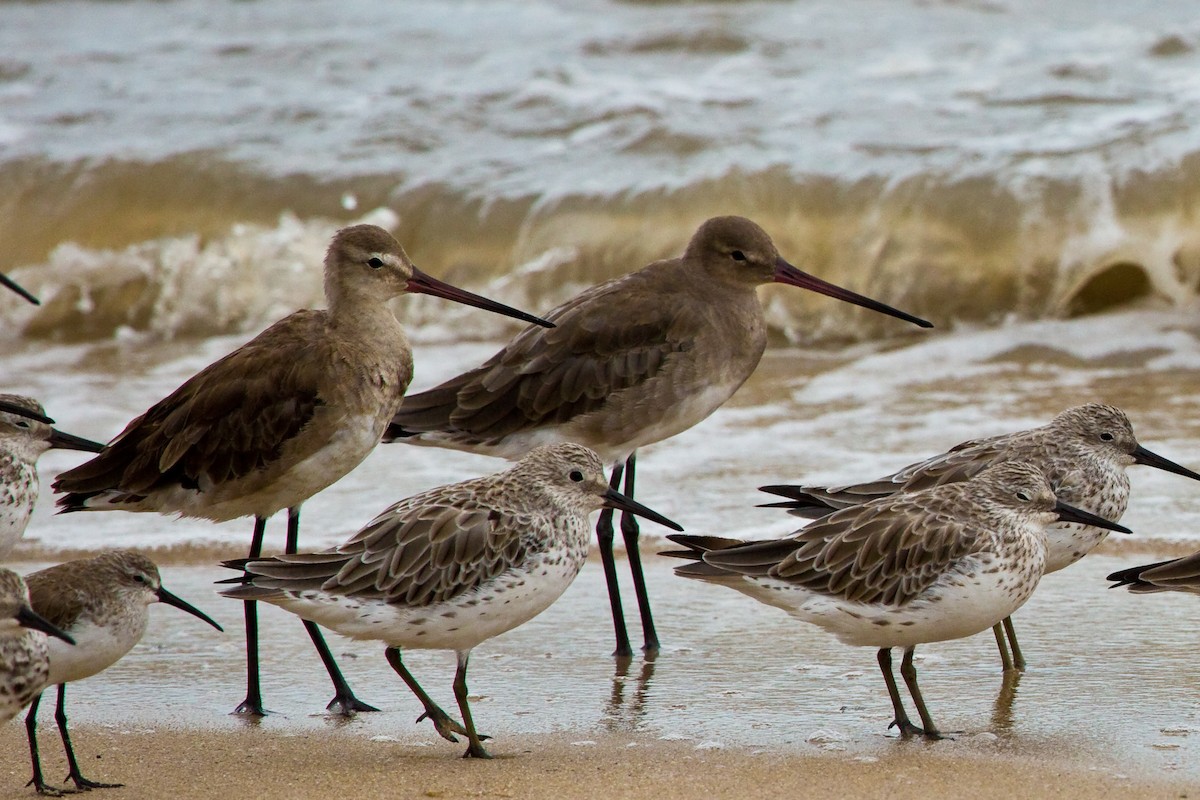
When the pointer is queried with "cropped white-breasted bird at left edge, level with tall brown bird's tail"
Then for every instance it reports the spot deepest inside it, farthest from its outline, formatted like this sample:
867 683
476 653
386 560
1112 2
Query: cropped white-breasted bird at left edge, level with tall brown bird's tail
26 434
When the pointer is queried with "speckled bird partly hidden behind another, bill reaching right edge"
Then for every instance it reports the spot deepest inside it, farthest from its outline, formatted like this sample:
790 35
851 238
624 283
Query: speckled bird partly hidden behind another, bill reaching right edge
1084 452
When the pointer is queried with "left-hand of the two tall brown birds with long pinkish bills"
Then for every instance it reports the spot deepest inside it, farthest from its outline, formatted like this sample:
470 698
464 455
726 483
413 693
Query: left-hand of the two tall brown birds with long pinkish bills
278 420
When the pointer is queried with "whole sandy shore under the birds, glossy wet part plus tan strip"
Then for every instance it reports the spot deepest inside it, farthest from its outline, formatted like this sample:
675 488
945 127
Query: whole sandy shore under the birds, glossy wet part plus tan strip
742 701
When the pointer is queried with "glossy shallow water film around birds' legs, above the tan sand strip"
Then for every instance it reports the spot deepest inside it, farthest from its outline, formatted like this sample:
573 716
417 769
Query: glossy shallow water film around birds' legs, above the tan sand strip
1102 690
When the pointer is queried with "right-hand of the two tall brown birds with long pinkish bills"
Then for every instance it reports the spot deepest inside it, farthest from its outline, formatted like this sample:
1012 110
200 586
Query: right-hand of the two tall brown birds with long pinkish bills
631 363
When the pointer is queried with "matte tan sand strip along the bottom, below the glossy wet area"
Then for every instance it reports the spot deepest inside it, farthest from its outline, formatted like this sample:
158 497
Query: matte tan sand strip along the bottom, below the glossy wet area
200 766
